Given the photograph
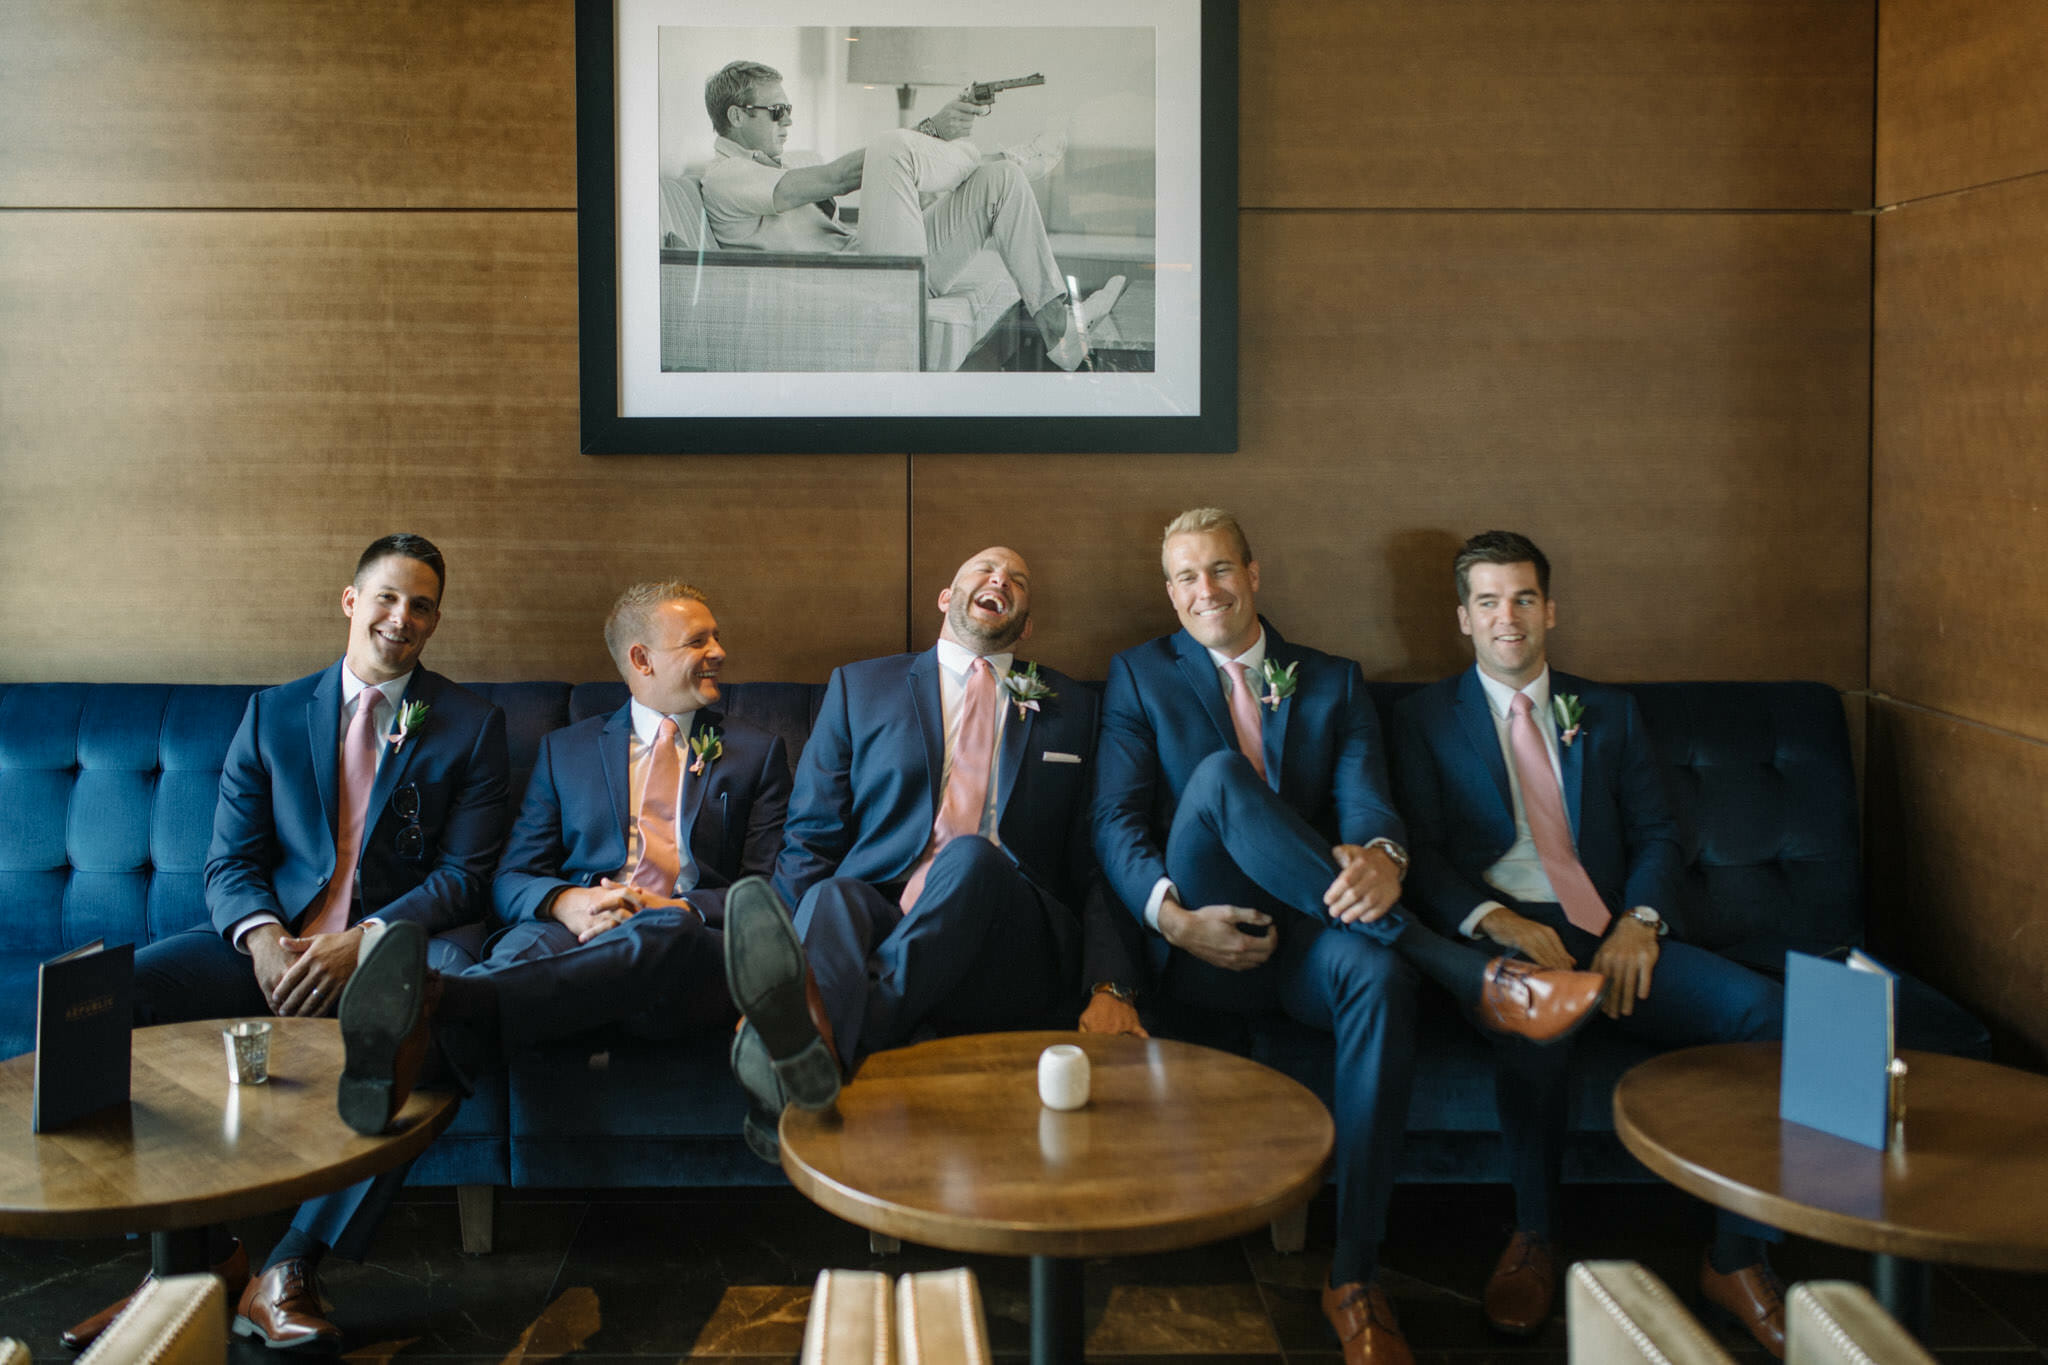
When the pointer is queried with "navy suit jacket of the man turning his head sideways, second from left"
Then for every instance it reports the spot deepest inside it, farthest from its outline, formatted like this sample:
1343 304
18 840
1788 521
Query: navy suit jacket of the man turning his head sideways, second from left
572 828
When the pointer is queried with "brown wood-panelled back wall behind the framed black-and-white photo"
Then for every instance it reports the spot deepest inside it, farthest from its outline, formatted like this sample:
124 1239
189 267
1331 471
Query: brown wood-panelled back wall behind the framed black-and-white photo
282 275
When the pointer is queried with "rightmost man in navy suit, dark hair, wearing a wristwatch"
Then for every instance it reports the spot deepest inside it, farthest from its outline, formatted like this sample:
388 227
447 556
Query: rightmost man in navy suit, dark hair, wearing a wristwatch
1541 824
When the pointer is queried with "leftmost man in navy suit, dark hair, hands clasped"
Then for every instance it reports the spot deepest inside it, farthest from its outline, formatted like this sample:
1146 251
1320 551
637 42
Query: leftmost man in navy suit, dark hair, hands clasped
292 901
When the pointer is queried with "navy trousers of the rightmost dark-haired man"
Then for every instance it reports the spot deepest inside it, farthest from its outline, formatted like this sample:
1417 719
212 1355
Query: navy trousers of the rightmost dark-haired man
1697 998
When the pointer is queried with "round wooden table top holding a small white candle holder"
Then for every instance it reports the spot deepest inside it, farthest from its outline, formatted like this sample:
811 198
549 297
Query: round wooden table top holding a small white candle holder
947 1145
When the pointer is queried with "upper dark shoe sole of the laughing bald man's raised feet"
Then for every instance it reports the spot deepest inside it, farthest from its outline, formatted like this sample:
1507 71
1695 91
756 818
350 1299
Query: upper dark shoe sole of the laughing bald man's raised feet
765 971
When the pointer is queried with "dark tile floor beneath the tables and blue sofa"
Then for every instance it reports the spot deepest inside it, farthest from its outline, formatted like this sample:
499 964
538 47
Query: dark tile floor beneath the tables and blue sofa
626 1276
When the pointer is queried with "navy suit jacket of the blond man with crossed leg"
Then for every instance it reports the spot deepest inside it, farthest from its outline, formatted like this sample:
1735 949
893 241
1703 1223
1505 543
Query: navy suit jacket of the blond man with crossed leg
1164 713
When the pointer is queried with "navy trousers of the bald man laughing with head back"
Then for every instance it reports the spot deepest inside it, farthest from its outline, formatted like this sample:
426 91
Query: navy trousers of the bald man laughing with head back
974 957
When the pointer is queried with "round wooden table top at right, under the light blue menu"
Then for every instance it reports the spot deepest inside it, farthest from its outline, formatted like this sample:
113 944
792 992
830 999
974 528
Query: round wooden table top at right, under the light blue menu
1969 1186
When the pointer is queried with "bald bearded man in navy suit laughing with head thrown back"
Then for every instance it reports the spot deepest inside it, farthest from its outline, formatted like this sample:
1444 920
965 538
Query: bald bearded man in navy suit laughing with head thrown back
937 854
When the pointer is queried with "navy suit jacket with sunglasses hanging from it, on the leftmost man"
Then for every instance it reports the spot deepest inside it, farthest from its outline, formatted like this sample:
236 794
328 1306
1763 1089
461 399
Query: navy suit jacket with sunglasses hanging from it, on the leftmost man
273 828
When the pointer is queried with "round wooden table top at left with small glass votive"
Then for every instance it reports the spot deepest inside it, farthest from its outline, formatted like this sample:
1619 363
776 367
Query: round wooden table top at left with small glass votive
191 1149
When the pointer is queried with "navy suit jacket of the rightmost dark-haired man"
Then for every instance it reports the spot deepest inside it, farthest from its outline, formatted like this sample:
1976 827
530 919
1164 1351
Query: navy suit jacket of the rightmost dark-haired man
1453 785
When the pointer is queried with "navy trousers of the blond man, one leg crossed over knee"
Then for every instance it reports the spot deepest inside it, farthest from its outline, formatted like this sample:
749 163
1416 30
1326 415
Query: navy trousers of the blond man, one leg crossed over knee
1236 842
